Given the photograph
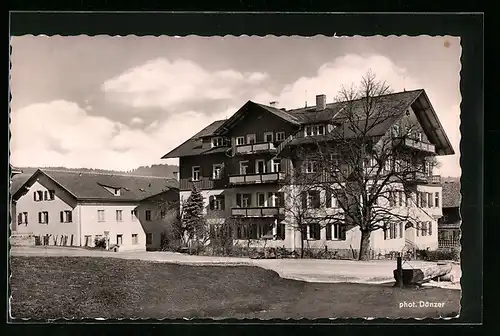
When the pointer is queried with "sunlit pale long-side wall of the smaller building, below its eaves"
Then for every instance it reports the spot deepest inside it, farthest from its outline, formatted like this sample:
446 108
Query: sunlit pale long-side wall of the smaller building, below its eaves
91 226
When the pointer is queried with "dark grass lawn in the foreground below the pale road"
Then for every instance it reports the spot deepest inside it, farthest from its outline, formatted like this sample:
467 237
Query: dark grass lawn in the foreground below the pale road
81 287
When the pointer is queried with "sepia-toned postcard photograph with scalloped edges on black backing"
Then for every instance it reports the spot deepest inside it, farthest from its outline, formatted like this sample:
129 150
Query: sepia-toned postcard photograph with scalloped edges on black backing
276 177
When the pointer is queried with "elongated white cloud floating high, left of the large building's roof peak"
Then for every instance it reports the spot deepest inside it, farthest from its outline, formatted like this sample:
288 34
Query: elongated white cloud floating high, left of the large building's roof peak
166 84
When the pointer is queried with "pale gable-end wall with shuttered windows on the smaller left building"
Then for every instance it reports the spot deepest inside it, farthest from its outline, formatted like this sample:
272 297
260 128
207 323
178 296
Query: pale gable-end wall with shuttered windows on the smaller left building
54 228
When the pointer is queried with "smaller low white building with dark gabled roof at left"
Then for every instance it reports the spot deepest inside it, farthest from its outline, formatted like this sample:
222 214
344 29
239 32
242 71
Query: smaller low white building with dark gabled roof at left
69 208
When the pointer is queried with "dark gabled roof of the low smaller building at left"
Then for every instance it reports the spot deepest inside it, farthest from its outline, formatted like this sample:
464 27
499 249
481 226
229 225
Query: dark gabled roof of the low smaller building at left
89 186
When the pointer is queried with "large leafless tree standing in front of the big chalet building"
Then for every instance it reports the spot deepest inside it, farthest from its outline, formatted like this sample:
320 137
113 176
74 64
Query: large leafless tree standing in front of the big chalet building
371 172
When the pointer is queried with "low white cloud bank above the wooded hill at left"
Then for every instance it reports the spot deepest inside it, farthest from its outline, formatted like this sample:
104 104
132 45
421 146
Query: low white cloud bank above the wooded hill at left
61 133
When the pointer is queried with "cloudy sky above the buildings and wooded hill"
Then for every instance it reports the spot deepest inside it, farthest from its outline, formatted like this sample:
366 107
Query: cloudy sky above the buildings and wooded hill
123 102
